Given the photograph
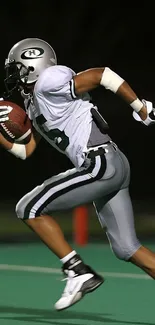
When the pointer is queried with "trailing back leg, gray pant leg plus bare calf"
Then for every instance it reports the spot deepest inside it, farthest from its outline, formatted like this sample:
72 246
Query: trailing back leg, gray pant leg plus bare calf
117 217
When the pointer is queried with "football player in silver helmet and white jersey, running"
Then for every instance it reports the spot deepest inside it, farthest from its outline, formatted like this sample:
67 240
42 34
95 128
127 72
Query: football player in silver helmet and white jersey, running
58 103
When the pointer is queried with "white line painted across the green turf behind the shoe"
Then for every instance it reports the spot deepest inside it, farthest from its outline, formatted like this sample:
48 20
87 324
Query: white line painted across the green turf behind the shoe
49 270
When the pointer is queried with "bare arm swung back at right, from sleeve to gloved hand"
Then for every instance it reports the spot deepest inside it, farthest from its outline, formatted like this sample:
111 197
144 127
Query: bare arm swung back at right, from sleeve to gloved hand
92 78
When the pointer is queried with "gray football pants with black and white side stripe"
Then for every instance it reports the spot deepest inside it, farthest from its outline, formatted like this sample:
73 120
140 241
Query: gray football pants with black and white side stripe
106 187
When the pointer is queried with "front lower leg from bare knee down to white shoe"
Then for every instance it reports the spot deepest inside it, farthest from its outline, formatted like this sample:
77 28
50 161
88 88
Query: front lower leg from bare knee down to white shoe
81 278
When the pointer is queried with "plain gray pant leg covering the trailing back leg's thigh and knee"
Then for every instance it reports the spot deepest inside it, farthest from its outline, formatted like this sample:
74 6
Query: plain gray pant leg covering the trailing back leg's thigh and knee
117 217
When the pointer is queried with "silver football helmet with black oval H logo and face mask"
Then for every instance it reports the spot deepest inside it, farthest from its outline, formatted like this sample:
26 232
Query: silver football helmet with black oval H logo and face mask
25 61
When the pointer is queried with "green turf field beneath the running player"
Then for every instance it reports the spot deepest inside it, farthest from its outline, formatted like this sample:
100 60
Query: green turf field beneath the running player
31 283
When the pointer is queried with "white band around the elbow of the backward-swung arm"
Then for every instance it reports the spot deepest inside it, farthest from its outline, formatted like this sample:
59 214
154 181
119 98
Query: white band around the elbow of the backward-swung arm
111 80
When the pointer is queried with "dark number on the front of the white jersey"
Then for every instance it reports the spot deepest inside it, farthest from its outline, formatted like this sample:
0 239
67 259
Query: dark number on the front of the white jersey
58 137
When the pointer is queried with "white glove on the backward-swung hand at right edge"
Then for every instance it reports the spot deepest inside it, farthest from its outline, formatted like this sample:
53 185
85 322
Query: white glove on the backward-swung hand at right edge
150 114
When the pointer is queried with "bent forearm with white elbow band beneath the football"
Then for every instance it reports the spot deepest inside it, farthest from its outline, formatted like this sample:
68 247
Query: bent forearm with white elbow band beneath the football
20 150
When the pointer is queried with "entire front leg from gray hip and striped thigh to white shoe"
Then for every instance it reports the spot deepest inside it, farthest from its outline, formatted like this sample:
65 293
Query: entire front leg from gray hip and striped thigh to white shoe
103 174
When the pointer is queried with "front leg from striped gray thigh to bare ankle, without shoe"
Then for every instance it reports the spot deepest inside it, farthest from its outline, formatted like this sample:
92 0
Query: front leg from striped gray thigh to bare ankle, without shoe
60 192
